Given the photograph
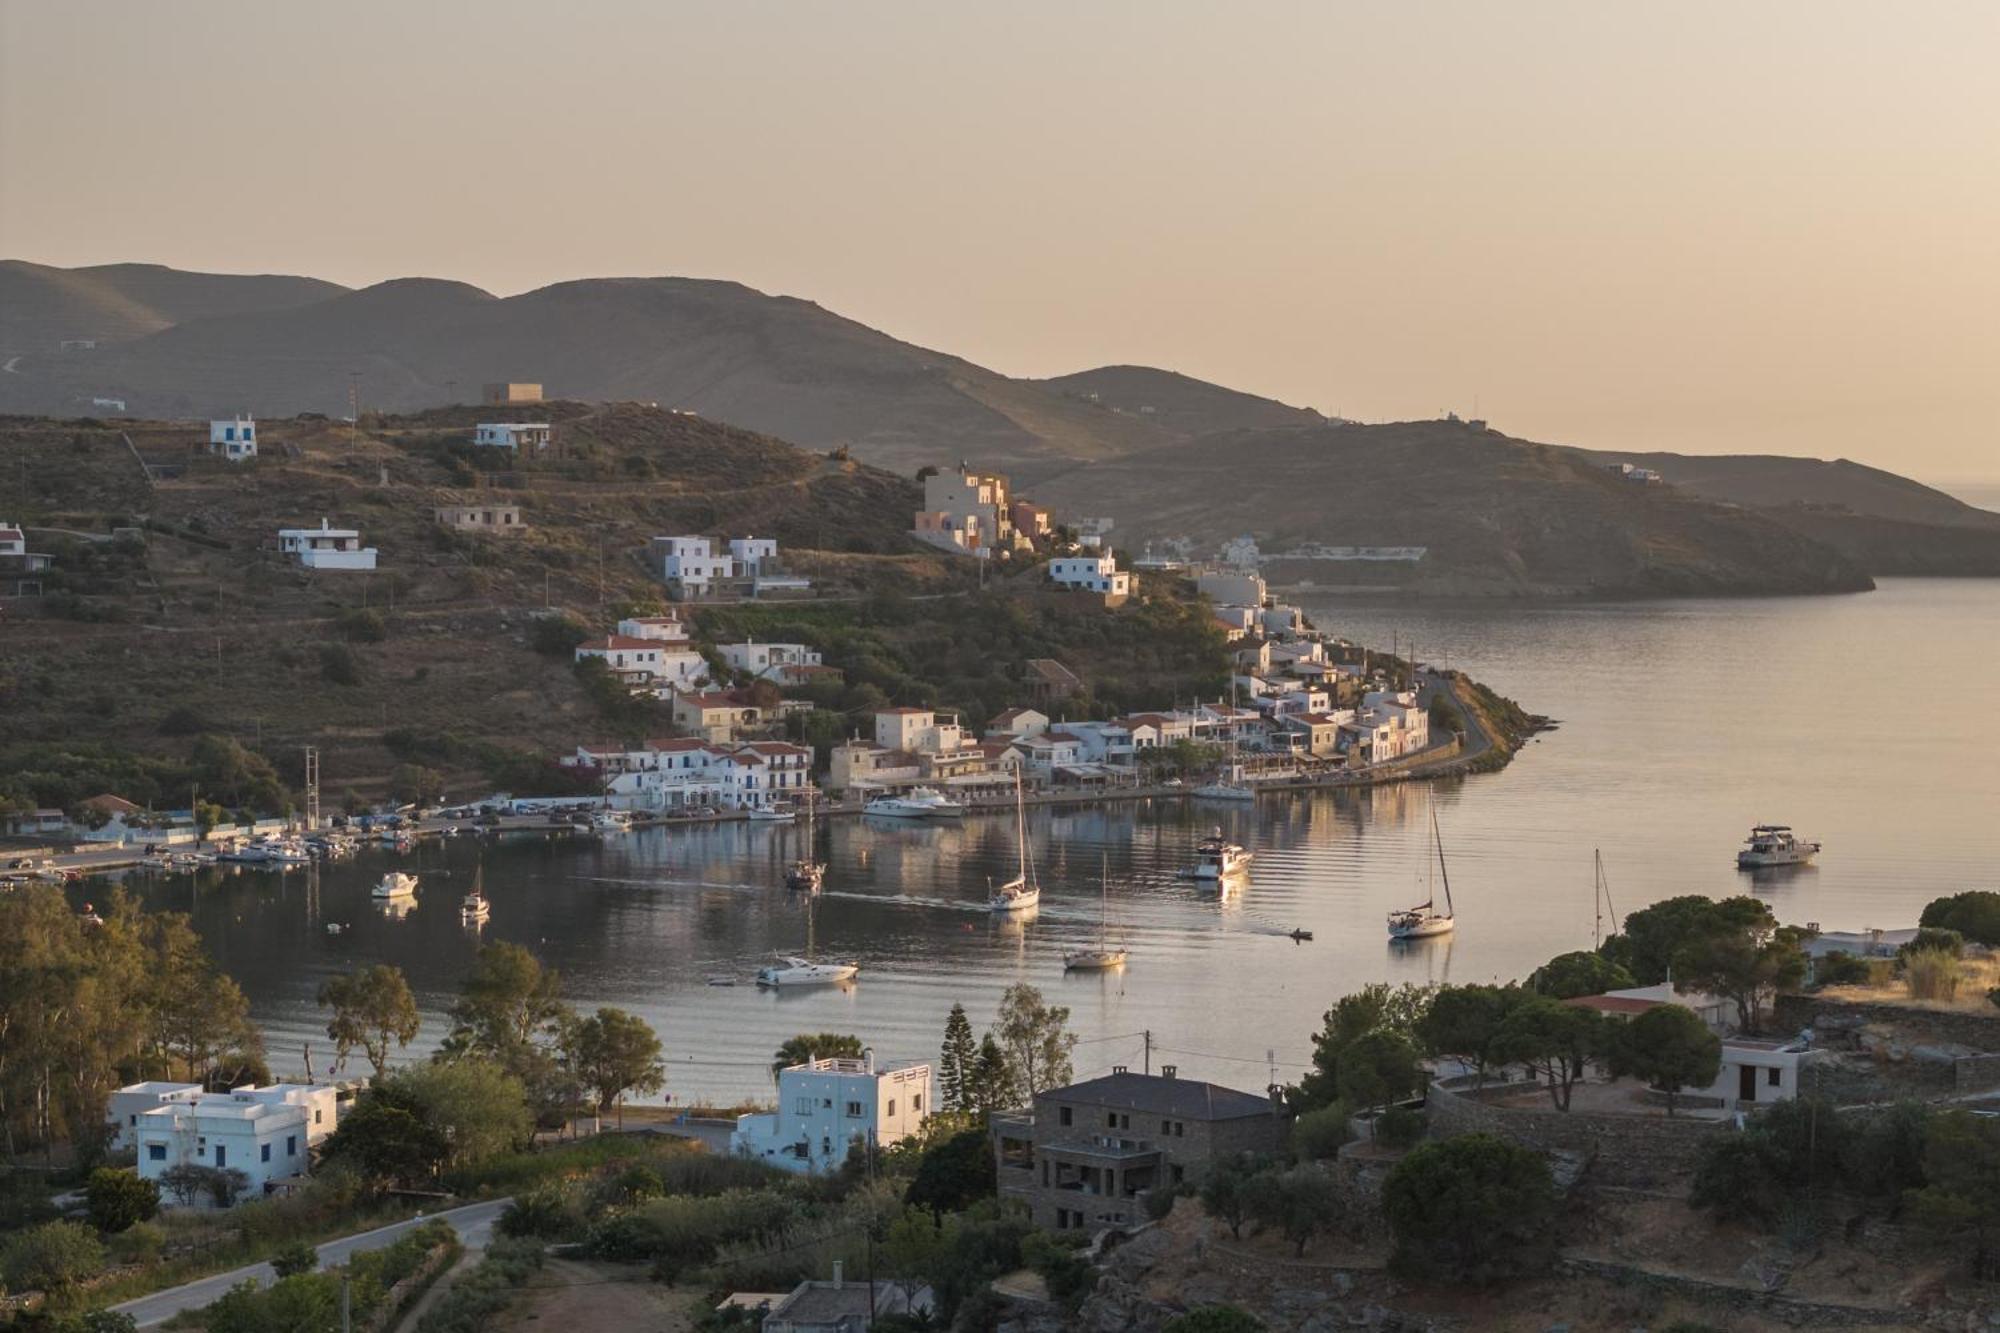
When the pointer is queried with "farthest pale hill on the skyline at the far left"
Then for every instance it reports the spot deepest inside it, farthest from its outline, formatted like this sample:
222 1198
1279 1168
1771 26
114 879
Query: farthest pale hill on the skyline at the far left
41 307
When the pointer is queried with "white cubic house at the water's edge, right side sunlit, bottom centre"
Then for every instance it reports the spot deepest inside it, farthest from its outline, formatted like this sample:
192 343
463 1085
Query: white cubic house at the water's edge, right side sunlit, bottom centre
827 1106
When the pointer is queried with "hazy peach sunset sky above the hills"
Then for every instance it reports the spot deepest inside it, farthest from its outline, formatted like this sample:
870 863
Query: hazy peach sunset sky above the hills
1707 227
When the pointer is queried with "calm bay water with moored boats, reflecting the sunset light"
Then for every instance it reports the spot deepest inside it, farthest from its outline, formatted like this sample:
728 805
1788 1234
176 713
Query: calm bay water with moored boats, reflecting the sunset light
1869 722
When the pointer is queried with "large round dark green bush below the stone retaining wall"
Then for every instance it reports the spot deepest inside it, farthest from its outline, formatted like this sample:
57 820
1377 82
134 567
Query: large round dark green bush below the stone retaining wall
1471 1210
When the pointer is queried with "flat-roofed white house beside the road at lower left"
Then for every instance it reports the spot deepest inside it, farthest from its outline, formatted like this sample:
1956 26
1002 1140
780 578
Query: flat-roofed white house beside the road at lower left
263 1132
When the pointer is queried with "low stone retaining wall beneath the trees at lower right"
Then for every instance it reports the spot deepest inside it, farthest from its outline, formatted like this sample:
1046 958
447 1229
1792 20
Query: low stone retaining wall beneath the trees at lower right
1623 1150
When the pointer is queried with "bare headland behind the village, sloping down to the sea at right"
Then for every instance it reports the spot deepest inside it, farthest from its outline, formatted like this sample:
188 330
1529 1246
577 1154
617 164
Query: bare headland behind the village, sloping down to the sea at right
1497 515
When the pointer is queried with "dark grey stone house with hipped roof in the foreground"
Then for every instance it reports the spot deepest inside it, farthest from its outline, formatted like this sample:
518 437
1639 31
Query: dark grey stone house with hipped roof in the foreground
1087 1156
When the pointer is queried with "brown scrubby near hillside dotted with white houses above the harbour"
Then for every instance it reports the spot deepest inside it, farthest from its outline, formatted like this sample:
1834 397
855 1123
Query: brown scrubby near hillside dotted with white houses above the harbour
455 651
